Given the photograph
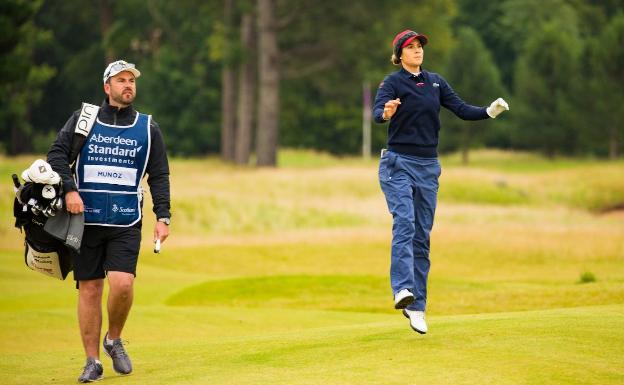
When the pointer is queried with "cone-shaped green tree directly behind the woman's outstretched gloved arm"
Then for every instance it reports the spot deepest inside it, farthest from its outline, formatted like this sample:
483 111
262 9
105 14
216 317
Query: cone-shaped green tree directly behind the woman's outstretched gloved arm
474 76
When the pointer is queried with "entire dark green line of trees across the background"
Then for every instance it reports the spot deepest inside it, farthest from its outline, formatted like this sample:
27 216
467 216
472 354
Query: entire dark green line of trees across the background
242 78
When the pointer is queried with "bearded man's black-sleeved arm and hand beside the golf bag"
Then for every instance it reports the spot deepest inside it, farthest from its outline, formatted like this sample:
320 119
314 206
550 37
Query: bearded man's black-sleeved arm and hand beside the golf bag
58 158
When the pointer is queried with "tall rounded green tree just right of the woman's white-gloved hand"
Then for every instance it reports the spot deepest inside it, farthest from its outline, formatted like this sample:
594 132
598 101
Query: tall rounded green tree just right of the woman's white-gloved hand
545 76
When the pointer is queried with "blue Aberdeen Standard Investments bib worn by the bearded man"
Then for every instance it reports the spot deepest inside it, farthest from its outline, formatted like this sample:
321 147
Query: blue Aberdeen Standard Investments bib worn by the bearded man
109 170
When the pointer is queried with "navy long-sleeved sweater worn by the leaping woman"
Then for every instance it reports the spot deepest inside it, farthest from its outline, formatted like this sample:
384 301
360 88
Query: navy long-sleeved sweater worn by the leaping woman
415 126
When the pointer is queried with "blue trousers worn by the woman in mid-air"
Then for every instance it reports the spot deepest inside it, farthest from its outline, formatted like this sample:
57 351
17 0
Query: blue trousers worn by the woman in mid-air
410 185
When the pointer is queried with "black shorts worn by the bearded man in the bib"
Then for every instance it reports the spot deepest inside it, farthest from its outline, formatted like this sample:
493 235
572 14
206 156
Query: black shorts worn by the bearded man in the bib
107 248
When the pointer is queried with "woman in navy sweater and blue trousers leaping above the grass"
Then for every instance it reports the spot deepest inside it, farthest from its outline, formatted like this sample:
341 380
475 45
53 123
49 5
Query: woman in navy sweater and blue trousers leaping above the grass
409 168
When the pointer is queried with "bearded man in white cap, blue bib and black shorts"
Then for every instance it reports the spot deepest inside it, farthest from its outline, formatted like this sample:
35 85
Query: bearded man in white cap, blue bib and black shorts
117 147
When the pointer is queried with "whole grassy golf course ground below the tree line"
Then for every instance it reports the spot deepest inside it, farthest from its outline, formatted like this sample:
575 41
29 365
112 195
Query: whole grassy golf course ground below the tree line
280 277
